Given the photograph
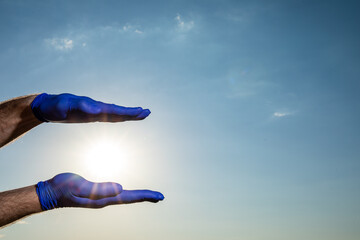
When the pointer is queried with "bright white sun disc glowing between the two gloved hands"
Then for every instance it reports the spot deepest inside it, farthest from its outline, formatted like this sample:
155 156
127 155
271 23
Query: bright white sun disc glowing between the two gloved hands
105 159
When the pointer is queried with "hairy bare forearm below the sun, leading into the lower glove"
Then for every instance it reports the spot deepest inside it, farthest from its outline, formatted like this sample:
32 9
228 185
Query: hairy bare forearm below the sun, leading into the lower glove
18 203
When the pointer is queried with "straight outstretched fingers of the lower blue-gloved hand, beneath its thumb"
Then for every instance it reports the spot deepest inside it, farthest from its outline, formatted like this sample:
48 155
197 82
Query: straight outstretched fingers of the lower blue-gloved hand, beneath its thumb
124 197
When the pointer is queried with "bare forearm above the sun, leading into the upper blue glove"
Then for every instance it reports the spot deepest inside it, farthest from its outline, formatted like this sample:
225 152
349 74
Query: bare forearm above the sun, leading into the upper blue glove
16 118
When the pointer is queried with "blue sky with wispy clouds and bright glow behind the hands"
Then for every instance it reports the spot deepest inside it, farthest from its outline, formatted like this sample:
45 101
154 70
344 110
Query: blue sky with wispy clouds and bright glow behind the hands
254 130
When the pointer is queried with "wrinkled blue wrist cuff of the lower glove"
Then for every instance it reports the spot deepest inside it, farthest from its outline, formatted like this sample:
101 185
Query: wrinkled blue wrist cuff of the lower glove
46 196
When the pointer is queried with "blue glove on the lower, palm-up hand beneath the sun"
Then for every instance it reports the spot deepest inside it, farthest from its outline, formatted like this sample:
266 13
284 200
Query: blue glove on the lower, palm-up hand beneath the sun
71 190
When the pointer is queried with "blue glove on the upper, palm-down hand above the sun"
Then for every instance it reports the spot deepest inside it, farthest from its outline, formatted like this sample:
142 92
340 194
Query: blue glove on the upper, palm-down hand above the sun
68 108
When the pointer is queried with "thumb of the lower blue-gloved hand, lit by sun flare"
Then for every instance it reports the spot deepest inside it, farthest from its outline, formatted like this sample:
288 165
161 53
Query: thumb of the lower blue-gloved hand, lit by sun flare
98 190
